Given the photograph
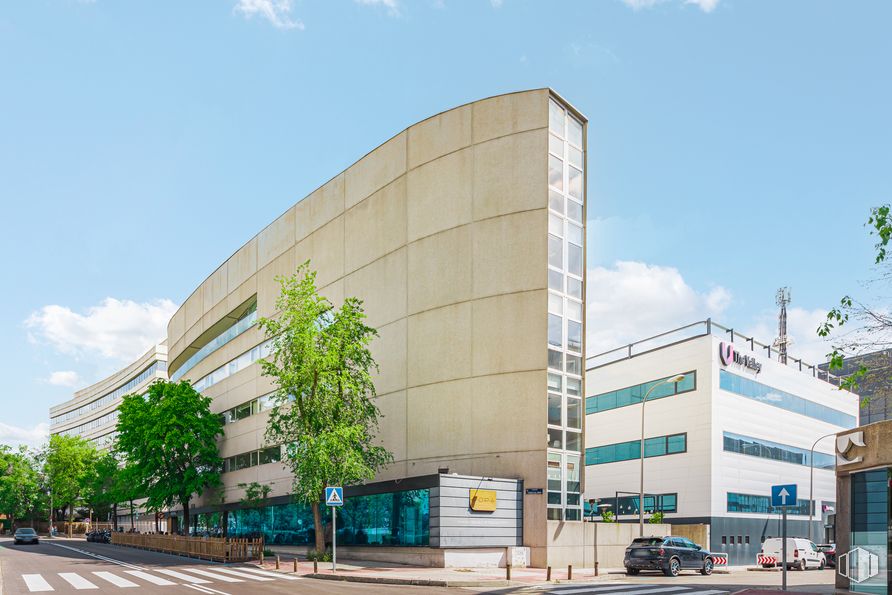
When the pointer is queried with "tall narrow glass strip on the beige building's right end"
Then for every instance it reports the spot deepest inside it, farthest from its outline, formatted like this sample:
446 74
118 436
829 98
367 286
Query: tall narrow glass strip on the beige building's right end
566 233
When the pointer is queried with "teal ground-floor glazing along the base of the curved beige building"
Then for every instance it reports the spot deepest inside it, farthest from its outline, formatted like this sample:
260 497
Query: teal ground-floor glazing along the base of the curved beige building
391 519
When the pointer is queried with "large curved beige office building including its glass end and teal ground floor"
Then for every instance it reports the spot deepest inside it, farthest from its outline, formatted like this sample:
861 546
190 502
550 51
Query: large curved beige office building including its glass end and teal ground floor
464 235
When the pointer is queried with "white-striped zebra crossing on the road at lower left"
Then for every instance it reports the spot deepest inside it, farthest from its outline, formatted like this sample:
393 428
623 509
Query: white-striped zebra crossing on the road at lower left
194 578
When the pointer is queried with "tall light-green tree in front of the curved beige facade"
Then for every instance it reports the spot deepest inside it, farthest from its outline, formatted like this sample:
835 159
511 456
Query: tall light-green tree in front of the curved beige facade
323 411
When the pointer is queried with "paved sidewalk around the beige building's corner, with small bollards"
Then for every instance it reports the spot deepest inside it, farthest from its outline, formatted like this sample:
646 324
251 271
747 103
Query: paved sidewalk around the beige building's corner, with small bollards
398 574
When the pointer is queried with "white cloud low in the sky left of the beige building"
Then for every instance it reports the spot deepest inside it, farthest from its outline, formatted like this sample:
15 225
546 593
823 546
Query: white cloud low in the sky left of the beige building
118 330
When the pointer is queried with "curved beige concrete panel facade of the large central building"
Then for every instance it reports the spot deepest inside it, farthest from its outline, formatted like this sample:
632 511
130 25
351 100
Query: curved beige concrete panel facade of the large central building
443 232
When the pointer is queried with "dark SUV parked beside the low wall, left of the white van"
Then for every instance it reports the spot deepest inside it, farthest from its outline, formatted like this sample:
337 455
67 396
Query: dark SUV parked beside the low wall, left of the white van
670 554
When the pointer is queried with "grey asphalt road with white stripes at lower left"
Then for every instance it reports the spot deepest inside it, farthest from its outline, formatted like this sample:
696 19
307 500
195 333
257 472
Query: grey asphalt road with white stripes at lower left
69 566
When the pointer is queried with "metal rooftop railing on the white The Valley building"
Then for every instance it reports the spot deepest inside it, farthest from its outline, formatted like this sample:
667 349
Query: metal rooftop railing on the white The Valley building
703 328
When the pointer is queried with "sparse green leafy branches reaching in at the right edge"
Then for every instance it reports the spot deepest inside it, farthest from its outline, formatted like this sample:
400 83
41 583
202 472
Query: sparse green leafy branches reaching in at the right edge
874 324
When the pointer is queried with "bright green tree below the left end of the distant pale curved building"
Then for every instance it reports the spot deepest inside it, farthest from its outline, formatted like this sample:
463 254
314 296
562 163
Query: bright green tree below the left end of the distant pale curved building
68 462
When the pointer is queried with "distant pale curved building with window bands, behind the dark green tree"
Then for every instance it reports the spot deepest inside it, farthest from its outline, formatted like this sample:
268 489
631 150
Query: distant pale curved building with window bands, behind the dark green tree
93 412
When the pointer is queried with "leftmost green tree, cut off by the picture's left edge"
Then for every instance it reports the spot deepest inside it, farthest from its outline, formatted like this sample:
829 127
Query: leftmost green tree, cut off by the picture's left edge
20 489
